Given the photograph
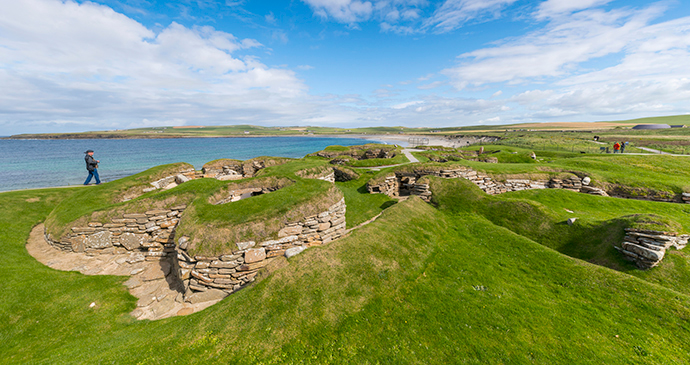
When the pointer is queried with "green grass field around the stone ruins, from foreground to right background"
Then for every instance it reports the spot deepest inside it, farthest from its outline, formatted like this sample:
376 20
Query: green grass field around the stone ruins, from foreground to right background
467 279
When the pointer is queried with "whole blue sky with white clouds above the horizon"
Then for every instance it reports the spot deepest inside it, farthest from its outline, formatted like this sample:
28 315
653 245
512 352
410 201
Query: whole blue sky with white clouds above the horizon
69 66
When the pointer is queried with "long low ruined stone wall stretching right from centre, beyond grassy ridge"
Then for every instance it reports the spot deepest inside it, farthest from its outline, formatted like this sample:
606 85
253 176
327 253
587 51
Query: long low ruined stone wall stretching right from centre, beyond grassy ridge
404 183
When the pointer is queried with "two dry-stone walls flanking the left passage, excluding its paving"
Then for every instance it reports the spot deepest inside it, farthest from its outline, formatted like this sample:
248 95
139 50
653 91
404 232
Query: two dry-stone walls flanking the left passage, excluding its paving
150 236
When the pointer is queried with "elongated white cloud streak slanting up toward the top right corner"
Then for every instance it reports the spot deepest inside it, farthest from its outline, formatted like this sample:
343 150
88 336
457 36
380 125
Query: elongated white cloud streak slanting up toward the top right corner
554 51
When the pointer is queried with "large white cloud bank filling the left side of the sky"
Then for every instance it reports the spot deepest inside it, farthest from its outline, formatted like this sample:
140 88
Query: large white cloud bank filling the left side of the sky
64 61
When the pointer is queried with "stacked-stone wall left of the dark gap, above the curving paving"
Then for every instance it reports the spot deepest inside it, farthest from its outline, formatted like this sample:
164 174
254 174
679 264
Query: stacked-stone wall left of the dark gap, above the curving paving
150 234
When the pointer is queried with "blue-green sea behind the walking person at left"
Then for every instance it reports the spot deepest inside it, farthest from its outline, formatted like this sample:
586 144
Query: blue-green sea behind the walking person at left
27 164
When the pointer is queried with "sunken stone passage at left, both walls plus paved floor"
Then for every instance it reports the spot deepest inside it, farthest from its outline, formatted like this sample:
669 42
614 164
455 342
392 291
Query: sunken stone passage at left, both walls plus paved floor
165 277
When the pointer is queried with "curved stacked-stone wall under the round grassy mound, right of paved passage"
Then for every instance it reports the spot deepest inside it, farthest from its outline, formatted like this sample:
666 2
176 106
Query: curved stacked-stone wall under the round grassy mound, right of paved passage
232 271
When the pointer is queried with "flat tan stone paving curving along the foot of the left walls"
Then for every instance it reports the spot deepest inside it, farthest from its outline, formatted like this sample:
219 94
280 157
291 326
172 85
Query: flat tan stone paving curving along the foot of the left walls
147 282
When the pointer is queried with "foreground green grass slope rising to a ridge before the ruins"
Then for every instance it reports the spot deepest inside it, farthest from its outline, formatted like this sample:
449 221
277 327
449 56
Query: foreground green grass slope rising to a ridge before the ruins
419 285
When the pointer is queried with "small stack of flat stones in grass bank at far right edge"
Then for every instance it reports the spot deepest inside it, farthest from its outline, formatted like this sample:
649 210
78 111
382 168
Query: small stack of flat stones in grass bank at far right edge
646 248
